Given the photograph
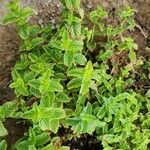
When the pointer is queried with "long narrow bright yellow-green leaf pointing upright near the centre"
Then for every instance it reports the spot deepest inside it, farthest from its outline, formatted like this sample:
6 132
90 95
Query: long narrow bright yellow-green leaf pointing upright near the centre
87 78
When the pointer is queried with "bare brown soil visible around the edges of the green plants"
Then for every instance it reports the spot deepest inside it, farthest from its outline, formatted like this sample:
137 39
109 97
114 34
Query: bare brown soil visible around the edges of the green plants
49 11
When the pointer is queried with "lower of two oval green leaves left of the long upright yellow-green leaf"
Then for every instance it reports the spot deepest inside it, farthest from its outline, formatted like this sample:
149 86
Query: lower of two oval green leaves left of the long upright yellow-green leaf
74 83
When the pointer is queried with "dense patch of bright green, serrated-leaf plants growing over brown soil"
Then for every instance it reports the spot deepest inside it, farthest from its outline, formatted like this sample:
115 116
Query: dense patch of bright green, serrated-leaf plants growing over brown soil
68 79
